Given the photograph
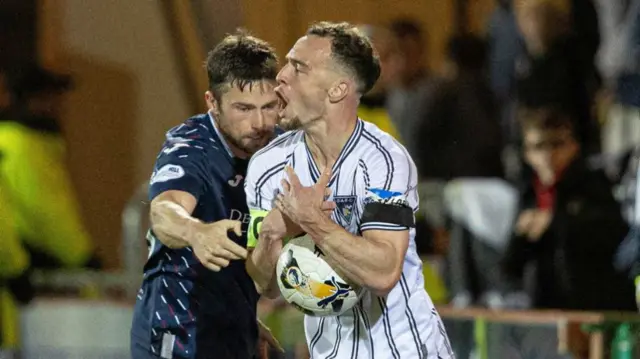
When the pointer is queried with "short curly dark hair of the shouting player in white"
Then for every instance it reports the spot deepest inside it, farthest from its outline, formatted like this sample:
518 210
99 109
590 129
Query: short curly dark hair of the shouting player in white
351 49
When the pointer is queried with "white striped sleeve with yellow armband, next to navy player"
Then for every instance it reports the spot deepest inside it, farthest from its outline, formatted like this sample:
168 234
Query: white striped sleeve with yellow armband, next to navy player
261 186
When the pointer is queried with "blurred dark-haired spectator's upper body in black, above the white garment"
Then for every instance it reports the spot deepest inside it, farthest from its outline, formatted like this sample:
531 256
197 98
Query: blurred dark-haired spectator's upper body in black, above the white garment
460 133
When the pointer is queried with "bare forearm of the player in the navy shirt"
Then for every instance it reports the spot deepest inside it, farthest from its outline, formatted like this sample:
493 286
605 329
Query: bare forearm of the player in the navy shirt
172 224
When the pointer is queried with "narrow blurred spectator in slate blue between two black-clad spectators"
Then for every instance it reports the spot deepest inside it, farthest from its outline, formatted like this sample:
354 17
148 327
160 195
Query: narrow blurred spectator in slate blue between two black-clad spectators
504 42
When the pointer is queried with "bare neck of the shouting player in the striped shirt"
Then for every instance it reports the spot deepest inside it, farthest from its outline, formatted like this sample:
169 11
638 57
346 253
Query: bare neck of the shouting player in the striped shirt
327 136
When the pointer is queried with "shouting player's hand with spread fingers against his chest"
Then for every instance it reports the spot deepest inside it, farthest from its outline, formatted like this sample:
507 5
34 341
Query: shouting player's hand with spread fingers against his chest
301 204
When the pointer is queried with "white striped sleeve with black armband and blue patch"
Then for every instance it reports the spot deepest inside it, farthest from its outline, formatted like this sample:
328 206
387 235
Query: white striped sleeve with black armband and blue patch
391 196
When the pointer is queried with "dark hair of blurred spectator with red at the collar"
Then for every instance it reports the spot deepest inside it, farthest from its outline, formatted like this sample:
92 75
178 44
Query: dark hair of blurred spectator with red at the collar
545 119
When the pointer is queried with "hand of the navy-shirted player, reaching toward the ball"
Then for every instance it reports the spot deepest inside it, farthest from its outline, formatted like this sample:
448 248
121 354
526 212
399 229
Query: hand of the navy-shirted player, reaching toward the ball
213 247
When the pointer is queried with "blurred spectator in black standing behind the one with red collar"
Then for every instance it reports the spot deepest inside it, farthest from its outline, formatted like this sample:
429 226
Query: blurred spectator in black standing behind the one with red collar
557 68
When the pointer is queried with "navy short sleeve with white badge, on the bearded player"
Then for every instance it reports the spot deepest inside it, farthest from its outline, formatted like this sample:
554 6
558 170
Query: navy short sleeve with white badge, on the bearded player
181 167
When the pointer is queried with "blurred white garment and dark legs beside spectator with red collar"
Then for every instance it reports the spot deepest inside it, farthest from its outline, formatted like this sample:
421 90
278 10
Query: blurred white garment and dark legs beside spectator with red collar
481 212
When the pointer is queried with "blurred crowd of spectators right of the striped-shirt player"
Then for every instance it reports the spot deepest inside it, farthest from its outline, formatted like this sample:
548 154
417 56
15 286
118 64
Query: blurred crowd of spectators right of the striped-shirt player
525 146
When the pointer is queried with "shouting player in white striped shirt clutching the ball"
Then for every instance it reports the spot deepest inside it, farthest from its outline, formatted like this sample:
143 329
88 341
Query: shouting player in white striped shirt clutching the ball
370 235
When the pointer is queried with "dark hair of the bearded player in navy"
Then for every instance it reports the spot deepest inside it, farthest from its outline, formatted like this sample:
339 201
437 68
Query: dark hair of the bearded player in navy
238 60
